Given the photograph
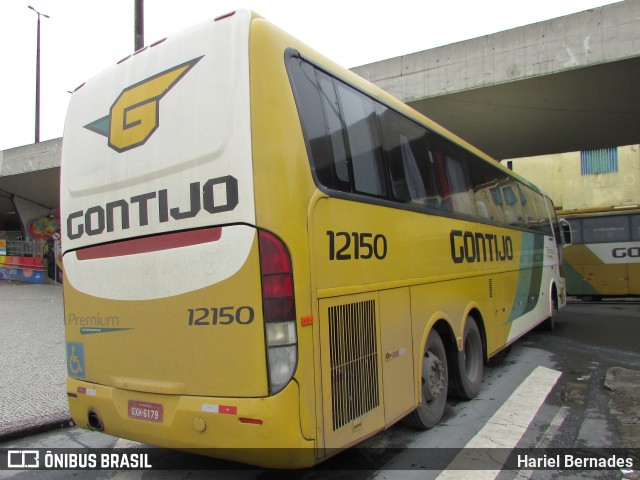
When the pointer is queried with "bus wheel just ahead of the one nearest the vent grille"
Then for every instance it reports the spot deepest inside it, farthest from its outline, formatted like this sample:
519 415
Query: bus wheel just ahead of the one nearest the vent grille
468 364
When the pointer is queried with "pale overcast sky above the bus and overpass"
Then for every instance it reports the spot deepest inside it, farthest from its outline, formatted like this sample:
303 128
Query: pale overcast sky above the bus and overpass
83 37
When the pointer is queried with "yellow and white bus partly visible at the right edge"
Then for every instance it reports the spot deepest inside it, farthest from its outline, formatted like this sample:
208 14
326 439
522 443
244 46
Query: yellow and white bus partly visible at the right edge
604 258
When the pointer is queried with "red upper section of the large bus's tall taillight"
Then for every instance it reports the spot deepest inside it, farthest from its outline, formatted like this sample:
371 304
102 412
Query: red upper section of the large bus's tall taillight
277 279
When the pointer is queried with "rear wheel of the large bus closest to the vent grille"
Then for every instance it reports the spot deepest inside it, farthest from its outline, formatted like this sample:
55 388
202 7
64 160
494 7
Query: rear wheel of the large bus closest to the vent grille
435 380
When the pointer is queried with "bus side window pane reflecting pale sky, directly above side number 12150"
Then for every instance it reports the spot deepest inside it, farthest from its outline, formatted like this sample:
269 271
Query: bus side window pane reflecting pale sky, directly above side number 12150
365 150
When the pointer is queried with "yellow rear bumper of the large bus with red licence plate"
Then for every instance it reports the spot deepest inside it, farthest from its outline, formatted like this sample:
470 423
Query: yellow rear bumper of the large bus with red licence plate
258 431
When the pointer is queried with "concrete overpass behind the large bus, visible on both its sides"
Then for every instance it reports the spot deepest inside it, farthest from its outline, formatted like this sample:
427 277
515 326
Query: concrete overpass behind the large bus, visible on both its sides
567 84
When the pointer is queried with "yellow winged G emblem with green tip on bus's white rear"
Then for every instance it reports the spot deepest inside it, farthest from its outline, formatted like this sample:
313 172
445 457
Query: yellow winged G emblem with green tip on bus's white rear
135 114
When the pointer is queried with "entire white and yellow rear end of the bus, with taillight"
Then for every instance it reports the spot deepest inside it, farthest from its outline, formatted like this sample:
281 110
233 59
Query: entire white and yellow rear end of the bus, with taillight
179 312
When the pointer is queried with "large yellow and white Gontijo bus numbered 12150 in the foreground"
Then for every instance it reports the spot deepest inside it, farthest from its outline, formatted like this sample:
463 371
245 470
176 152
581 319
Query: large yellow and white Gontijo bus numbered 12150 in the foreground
268 259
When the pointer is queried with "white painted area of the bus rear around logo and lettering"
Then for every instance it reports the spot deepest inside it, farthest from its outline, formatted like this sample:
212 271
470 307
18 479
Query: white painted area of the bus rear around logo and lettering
202 134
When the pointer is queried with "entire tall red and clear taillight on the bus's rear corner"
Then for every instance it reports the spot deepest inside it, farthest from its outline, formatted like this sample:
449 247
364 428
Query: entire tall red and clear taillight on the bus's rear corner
278 306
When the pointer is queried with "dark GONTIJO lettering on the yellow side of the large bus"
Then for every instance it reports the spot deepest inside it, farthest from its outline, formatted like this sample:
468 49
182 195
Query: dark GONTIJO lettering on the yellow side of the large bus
476 247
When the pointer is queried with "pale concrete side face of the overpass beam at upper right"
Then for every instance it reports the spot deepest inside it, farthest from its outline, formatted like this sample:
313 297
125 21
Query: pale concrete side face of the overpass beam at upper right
602 35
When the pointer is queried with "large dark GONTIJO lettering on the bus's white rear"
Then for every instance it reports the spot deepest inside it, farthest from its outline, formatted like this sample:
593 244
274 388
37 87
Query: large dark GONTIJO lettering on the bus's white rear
216 195
